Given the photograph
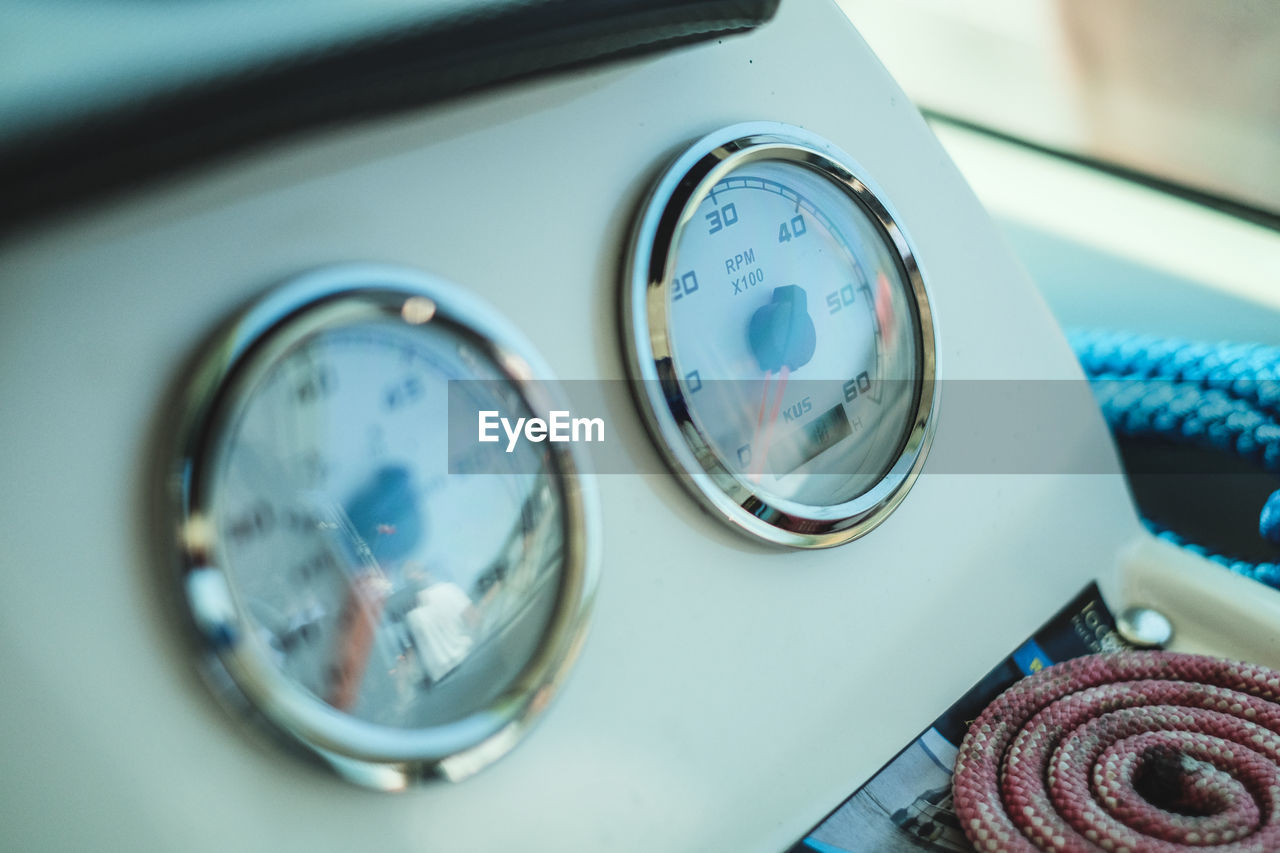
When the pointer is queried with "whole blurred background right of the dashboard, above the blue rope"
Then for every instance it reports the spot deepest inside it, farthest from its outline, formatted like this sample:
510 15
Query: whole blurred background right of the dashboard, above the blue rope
1130 150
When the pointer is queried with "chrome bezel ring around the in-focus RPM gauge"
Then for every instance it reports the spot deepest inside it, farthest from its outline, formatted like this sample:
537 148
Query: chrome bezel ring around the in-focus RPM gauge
651 268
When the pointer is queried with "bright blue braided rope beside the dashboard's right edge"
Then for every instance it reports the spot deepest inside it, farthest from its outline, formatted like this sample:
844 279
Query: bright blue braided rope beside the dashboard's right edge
1220 396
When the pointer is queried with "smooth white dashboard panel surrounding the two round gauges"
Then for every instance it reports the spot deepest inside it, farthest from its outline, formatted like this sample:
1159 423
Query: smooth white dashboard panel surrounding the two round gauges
729 695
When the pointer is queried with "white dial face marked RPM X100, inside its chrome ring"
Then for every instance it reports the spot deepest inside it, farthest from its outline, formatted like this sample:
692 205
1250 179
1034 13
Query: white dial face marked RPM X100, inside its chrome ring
793 335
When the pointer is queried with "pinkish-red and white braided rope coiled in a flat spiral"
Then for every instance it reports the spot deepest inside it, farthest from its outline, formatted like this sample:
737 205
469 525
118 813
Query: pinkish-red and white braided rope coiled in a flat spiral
1130 751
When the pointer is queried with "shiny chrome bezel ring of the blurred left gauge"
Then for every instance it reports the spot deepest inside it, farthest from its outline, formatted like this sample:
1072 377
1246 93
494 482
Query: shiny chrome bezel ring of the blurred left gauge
376 756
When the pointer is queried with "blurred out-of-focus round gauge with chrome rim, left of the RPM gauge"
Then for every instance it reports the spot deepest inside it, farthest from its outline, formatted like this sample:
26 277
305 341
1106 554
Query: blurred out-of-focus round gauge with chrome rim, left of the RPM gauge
383 589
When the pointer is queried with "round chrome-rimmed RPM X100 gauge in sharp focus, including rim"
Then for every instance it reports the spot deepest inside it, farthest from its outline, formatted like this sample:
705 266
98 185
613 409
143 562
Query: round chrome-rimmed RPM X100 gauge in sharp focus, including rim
783 337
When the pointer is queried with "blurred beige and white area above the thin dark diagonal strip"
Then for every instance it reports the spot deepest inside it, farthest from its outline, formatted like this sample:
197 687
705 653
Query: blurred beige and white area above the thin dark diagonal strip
1187 92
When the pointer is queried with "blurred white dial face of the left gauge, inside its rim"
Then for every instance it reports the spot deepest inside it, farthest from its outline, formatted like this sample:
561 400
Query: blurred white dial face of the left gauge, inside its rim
380 582
